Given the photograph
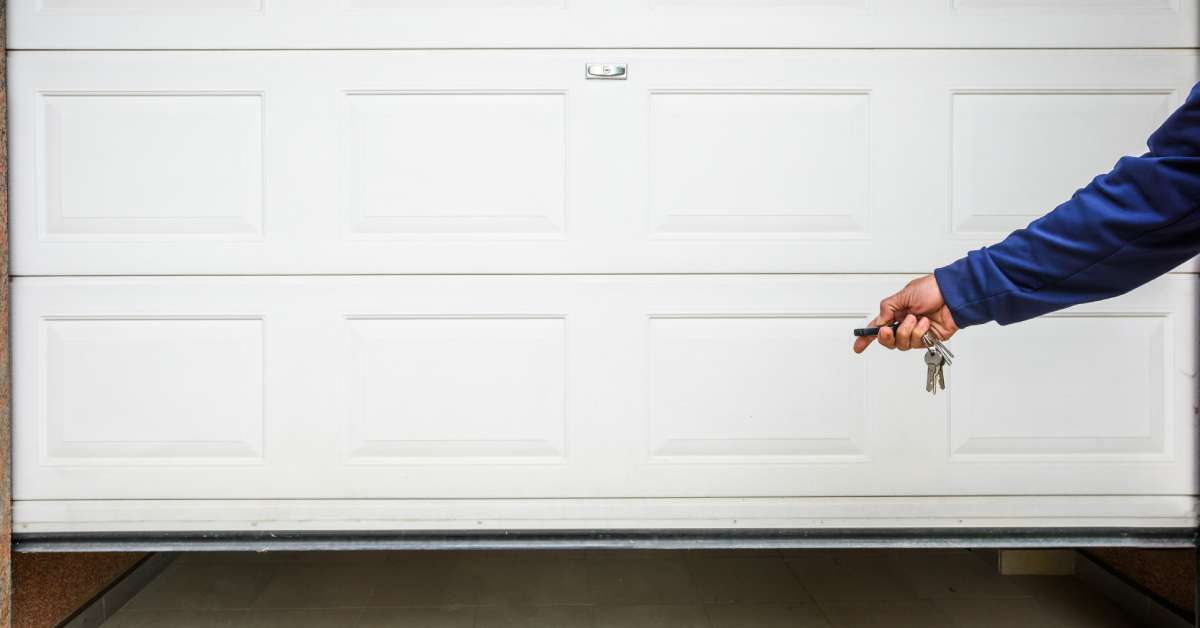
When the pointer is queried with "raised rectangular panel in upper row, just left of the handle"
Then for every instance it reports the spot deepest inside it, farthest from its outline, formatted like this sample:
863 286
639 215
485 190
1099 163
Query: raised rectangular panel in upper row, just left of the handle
484 164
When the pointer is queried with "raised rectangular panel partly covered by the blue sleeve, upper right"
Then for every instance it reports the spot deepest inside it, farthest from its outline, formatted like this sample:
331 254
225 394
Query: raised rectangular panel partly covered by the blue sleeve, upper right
1018 155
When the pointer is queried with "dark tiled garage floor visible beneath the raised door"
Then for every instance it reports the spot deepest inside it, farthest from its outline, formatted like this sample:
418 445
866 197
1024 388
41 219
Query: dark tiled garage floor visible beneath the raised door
893 589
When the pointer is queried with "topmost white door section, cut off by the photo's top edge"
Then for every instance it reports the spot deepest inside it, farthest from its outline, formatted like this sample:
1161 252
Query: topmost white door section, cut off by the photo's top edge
302 25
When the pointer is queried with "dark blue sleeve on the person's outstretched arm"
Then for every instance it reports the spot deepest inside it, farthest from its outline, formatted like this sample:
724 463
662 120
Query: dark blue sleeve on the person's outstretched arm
1125 229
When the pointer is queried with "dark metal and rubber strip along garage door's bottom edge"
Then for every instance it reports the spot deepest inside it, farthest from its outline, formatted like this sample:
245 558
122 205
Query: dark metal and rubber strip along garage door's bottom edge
596 540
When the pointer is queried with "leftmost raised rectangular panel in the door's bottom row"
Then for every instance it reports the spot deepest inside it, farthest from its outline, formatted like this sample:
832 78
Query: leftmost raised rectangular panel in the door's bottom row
152 391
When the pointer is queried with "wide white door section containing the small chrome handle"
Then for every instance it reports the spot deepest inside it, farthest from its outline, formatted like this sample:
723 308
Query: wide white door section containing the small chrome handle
363 163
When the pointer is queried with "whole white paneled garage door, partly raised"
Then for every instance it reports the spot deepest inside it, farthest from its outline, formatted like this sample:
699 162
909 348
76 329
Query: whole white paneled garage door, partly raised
351 265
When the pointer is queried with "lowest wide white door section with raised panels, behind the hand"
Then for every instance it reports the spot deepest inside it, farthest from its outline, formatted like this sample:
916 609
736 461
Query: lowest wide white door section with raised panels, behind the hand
577 387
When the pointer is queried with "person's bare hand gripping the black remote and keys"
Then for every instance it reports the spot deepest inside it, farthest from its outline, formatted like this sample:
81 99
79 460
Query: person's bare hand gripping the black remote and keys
919 308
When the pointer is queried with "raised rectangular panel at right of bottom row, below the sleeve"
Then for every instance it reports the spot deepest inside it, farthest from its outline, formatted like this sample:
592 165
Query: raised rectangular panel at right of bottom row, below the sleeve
1108 399
